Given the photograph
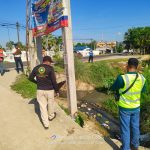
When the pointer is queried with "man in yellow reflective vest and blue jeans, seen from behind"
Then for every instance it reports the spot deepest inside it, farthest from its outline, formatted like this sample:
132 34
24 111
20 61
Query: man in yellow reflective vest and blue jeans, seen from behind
129 88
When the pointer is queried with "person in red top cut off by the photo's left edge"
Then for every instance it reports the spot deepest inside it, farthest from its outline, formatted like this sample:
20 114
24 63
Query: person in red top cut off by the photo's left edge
2 56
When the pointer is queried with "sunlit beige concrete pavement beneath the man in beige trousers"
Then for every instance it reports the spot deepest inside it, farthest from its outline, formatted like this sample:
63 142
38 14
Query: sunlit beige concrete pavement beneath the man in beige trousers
21 129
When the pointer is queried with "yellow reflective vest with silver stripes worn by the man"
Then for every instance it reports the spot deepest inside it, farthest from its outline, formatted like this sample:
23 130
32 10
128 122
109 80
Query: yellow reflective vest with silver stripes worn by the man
131 99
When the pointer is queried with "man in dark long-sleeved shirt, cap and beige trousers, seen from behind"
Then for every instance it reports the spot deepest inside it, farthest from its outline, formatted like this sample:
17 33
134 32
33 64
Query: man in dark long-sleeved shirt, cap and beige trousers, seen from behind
46 85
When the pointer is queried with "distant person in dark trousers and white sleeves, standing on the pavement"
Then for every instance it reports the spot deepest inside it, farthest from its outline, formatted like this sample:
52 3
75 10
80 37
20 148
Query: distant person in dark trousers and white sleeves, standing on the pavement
17 57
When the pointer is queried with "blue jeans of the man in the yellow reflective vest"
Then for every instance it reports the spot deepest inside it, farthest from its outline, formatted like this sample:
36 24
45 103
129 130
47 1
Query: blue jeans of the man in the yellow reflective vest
129 126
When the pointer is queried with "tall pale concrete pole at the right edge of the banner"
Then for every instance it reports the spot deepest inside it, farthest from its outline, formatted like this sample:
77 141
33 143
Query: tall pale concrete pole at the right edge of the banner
69 63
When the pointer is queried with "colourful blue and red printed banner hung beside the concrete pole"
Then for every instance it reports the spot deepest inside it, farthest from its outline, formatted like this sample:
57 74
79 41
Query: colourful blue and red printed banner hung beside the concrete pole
48 16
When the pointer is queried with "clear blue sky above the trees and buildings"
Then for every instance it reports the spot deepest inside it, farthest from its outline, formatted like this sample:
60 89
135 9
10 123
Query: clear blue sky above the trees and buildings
105 20
